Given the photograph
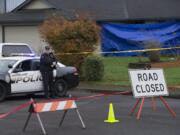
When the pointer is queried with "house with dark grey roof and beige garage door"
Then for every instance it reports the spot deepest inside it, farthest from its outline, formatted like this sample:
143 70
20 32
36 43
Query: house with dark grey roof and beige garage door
21 22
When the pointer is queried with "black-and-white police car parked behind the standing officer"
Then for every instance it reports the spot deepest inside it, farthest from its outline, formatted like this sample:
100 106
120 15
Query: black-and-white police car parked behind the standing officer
22 75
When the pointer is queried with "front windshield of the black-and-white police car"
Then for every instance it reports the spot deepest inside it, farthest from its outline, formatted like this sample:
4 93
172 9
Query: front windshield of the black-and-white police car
4 65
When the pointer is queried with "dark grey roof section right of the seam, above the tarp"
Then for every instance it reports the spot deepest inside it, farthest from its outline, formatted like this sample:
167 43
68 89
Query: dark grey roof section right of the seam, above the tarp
153 9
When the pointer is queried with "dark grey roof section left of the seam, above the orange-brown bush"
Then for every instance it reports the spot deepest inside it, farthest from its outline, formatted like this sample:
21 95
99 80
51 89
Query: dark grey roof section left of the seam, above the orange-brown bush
99 10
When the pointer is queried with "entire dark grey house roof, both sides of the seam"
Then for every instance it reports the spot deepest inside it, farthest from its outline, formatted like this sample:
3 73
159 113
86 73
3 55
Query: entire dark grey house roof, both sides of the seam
117 8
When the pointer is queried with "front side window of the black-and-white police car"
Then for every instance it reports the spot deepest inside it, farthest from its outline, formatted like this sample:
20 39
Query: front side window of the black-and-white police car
23 66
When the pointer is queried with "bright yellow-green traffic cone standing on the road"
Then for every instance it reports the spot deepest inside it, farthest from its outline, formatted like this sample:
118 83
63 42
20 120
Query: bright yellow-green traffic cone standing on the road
111 116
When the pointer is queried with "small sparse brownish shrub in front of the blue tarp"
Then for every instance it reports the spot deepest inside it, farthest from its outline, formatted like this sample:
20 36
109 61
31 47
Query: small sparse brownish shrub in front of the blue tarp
154 56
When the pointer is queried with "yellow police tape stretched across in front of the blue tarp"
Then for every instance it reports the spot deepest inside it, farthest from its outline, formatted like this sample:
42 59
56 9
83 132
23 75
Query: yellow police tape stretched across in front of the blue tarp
116 52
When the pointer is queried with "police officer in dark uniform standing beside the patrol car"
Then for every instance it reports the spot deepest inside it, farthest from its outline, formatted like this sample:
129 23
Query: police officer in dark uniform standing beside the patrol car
47 64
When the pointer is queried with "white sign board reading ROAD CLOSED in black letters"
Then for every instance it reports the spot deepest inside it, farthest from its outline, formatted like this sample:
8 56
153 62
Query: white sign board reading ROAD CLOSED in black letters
148 83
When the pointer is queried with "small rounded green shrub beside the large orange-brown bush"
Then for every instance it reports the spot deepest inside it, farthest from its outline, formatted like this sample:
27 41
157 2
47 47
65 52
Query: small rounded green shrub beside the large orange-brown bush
93 68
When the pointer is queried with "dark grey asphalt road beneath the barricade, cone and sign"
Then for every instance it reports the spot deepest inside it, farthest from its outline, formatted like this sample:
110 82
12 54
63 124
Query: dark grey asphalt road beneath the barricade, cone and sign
94 113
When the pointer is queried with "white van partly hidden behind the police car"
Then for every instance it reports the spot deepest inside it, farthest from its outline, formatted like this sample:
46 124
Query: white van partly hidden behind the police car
15 49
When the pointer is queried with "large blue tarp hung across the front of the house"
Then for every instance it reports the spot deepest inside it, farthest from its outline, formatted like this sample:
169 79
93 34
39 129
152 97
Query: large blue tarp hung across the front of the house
121 37
